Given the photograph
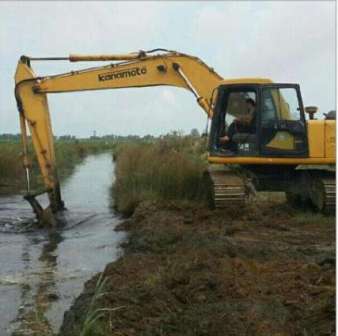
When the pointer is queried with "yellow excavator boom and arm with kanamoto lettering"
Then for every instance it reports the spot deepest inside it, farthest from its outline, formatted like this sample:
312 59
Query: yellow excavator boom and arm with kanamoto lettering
142 69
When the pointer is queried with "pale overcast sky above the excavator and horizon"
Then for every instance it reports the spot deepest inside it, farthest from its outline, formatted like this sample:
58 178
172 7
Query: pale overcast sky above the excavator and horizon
287 41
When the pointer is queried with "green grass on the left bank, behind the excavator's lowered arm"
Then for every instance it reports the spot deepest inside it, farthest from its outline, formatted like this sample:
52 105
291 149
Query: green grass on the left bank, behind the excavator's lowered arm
68 155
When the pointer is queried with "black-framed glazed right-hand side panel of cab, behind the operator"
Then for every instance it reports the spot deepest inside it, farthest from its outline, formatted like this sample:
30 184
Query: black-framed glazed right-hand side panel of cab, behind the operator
282 126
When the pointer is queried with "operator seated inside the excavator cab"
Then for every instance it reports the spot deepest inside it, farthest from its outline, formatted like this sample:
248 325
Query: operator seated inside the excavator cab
243 124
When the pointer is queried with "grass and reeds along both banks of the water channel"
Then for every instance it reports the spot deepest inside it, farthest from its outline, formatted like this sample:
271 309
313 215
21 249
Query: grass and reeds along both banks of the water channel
180 158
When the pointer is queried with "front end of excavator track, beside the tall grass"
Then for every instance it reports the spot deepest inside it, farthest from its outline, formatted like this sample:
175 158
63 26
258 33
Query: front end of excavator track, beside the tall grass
226 189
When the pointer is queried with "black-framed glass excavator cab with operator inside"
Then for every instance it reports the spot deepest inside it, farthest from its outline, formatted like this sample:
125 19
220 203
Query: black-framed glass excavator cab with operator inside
259 120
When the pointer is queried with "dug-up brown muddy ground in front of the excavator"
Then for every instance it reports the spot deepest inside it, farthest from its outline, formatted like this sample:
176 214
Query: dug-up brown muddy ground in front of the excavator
264 270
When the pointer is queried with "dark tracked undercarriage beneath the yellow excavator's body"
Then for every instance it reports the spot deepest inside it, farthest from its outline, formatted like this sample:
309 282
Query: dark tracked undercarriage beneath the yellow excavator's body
303 188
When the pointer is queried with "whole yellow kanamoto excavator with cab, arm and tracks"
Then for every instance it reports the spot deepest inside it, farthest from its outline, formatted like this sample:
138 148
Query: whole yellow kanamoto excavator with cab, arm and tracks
282 151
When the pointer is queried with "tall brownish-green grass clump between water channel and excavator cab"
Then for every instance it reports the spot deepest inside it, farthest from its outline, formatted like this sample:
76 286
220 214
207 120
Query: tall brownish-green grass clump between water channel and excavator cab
170 168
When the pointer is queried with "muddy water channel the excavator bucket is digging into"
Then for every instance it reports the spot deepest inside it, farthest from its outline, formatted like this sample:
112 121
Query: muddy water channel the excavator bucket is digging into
42 271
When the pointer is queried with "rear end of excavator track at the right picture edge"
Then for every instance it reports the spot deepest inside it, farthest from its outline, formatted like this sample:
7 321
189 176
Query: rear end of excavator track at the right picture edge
323 193
